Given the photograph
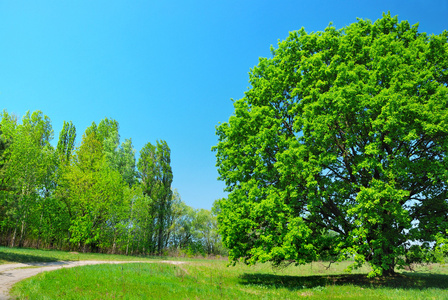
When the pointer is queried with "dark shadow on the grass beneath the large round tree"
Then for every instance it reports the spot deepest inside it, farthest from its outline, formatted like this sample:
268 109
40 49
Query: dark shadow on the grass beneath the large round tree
416 281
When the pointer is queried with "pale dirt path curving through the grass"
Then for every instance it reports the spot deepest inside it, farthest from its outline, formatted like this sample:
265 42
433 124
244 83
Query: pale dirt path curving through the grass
12 273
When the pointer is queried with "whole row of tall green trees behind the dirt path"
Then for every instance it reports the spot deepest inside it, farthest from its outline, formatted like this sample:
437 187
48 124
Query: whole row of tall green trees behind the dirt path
95 197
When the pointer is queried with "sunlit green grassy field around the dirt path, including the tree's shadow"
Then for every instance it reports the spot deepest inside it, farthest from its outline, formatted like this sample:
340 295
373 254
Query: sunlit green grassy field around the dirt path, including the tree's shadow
212 279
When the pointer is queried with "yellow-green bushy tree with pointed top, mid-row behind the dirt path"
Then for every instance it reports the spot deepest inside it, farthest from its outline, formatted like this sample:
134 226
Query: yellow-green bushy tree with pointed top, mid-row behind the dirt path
95 197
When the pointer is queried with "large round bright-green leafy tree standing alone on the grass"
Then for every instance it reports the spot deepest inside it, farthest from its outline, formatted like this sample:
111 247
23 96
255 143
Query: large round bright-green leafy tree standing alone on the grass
340 148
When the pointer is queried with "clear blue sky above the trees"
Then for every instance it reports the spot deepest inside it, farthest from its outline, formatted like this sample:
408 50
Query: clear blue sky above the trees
163 69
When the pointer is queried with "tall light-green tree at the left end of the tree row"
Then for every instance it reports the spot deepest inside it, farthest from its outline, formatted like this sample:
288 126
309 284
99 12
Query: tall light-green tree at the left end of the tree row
27 168
